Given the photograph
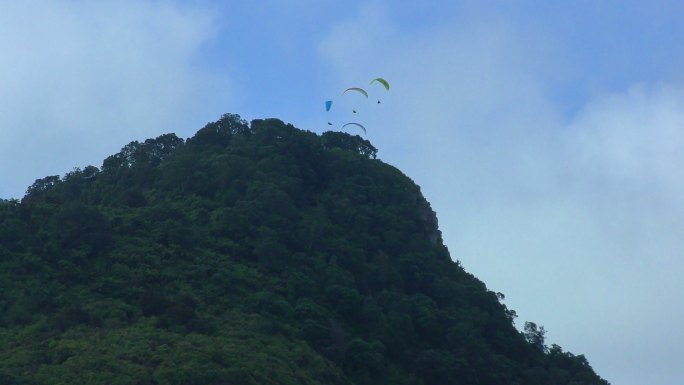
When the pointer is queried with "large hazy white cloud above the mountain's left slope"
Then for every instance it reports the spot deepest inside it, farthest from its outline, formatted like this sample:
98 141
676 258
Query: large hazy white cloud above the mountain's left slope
86 78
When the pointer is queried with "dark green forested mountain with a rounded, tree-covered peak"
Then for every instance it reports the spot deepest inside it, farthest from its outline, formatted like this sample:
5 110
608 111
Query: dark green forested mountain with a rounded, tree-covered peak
250 254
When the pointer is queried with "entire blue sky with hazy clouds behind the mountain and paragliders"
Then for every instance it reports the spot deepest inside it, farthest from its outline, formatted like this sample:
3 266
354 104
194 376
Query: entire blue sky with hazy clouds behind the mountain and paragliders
548 136
